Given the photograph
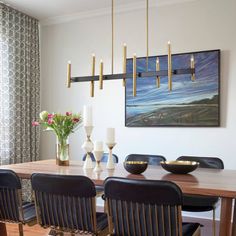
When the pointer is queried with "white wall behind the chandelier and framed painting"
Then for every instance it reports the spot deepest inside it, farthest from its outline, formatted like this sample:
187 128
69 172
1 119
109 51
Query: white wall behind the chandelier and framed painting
191 26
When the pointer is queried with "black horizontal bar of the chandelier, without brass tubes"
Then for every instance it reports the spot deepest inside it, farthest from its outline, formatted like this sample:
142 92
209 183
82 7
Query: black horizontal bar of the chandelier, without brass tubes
189 71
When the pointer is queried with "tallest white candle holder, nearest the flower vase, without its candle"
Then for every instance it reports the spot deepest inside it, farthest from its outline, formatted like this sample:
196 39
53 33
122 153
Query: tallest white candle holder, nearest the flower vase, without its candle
88 147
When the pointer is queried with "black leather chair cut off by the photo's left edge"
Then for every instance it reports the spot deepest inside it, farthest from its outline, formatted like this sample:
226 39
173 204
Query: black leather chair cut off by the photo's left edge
12 209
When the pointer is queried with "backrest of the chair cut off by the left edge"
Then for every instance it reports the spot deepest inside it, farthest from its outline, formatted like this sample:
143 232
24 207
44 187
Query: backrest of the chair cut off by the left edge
10 197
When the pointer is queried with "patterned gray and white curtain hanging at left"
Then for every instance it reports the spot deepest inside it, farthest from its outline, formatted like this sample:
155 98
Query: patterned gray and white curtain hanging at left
19 86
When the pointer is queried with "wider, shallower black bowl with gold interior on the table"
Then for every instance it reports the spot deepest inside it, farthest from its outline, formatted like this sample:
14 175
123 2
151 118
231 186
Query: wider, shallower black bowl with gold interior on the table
179 167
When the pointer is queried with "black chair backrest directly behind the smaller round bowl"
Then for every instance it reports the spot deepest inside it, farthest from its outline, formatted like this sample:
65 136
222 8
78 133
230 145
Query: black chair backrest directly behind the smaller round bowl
151 159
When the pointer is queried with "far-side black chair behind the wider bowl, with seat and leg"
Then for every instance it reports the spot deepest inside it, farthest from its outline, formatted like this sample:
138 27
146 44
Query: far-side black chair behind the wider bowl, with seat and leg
202 203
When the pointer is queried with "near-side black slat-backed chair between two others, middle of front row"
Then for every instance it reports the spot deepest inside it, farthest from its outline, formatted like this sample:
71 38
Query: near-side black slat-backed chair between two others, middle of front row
67 204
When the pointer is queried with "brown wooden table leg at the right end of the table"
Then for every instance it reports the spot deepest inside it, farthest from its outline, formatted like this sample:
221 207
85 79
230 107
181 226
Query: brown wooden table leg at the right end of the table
225 216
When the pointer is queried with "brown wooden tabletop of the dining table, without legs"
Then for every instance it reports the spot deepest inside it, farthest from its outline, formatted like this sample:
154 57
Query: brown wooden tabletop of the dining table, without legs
212 182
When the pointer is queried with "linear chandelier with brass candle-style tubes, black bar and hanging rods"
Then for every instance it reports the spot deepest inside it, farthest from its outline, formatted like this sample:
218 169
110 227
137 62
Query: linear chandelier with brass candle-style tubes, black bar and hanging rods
158 73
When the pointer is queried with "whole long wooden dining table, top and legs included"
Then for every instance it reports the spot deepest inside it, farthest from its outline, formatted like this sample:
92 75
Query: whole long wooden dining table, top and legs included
202 181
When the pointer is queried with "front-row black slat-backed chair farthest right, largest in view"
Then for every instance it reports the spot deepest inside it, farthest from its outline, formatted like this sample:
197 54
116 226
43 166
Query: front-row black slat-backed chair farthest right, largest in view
145 207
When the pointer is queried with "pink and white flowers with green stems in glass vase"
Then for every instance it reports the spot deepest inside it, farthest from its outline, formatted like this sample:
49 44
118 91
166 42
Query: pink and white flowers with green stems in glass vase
63 126
